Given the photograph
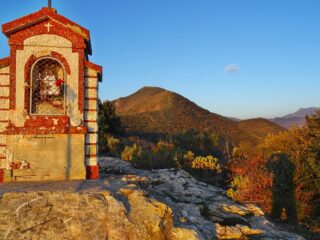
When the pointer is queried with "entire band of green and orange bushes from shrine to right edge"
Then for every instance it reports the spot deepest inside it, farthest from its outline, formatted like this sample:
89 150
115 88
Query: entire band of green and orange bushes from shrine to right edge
281 173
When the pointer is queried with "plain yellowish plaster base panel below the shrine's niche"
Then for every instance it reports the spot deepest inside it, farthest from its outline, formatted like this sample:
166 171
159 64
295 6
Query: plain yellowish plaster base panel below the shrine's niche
53 157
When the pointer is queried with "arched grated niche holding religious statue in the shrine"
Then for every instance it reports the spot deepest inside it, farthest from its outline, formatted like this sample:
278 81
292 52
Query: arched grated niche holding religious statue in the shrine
47 88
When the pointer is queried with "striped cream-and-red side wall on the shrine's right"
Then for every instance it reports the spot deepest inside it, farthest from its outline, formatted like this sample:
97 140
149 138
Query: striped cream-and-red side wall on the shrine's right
91 116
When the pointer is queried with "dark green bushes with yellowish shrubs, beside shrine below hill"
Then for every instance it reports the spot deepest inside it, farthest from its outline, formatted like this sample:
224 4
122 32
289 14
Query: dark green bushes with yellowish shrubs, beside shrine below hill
194 151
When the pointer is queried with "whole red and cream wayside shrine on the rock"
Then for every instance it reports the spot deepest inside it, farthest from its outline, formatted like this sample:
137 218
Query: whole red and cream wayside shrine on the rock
48 100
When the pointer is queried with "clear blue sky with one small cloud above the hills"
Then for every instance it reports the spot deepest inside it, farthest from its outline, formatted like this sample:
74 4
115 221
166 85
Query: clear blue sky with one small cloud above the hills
239 58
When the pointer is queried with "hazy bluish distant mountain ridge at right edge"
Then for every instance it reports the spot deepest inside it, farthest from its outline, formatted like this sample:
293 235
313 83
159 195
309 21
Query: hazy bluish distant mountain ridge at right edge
295 119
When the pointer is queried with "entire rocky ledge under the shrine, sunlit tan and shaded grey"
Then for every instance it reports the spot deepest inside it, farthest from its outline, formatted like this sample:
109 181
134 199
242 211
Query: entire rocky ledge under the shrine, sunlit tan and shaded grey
127 203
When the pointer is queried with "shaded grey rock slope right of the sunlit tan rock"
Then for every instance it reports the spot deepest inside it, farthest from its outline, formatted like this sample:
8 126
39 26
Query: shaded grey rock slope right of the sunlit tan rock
197 205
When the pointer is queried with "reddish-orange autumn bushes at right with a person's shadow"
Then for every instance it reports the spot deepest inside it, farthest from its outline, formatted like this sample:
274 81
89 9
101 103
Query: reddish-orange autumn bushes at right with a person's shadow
284 168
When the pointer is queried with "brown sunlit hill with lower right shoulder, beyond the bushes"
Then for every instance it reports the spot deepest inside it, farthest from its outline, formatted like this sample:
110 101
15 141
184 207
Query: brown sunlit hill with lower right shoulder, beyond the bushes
153 110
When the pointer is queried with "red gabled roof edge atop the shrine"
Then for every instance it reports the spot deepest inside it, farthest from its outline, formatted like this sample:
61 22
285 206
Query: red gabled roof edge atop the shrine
43 15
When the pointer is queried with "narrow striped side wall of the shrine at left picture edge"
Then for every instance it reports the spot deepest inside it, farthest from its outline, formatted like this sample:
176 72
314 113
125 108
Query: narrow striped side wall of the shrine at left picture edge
4 113
